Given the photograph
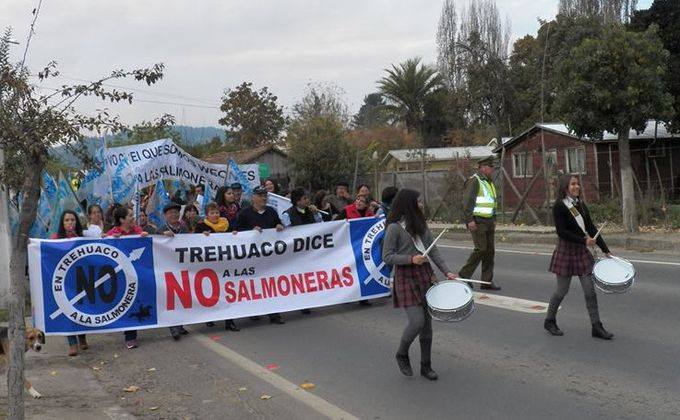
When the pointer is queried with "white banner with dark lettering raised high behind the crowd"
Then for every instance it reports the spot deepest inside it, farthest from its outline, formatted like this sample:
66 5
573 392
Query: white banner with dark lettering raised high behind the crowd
163 159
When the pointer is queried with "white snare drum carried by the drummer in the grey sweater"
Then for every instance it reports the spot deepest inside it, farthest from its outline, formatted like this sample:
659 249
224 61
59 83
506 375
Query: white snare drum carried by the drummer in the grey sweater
450 301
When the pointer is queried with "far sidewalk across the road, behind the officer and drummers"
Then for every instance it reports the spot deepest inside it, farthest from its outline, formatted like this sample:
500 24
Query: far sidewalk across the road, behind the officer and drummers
641 242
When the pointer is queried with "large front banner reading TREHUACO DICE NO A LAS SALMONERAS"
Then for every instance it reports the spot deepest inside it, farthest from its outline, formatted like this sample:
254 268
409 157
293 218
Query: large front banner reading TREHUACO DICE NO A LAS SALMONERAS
117 284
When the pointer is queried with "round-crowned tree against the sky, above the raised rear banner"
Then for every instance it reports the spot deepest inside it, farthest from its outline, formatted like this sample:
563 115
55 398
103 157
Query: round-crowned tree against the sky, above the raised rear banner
252 117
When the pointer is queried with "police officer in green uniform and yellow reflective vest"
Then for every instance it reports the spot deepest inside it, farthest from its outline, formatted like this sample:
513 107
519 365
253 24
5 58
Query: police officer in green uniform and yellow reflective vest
480 216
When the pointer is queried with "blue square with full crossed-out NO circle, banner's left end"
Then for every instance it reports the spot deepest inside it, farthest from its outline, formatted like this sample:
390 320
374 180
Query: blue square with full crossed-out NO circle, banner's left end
104 284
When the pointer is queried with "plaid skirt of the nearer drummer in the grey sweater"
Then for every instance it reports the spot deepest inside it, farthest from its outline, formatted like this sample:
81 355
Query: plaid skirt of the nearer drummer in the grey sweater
411 282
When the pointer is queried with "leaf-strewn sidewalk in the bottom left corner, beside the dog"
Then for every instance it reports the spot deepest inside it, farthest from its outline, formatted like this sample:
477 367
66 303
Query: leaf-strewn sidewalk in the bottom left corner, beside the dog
68 386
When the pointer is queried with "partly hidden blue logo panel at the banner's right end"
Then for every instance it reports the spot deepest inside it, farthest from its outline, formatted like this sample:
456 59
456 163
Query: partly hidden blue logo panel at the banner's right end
367 235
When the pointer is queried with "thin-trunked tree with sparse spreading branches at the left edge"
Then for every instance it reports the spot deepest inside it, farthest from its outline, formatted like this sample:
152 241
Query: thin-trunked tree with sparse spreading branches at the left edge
30 125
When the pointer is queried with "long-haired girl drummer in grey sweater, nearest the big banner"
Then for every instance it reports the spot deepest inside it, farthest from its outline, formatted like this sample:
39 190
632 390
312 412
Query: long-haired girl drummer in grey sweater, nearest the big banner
405 242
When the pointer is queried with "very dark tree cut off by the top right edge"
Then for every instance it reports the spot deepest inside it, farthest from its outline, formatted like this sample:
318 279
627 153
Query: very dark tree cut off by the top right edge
665 14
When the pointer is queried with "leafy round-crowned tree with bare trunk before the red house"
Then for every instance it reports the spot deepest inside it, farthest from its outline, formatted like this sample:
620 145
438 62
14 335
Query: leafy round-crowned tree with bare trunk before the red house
615 83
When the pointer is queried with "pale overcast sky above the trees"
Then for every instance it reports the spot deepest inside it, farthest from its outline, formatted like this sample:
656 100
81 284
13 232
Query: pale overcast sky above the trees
208 46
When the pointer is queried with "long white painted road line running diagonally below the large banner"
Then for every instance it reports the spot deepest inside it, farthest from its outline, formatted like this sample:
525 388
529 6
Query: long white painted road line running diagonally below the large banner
314 402
